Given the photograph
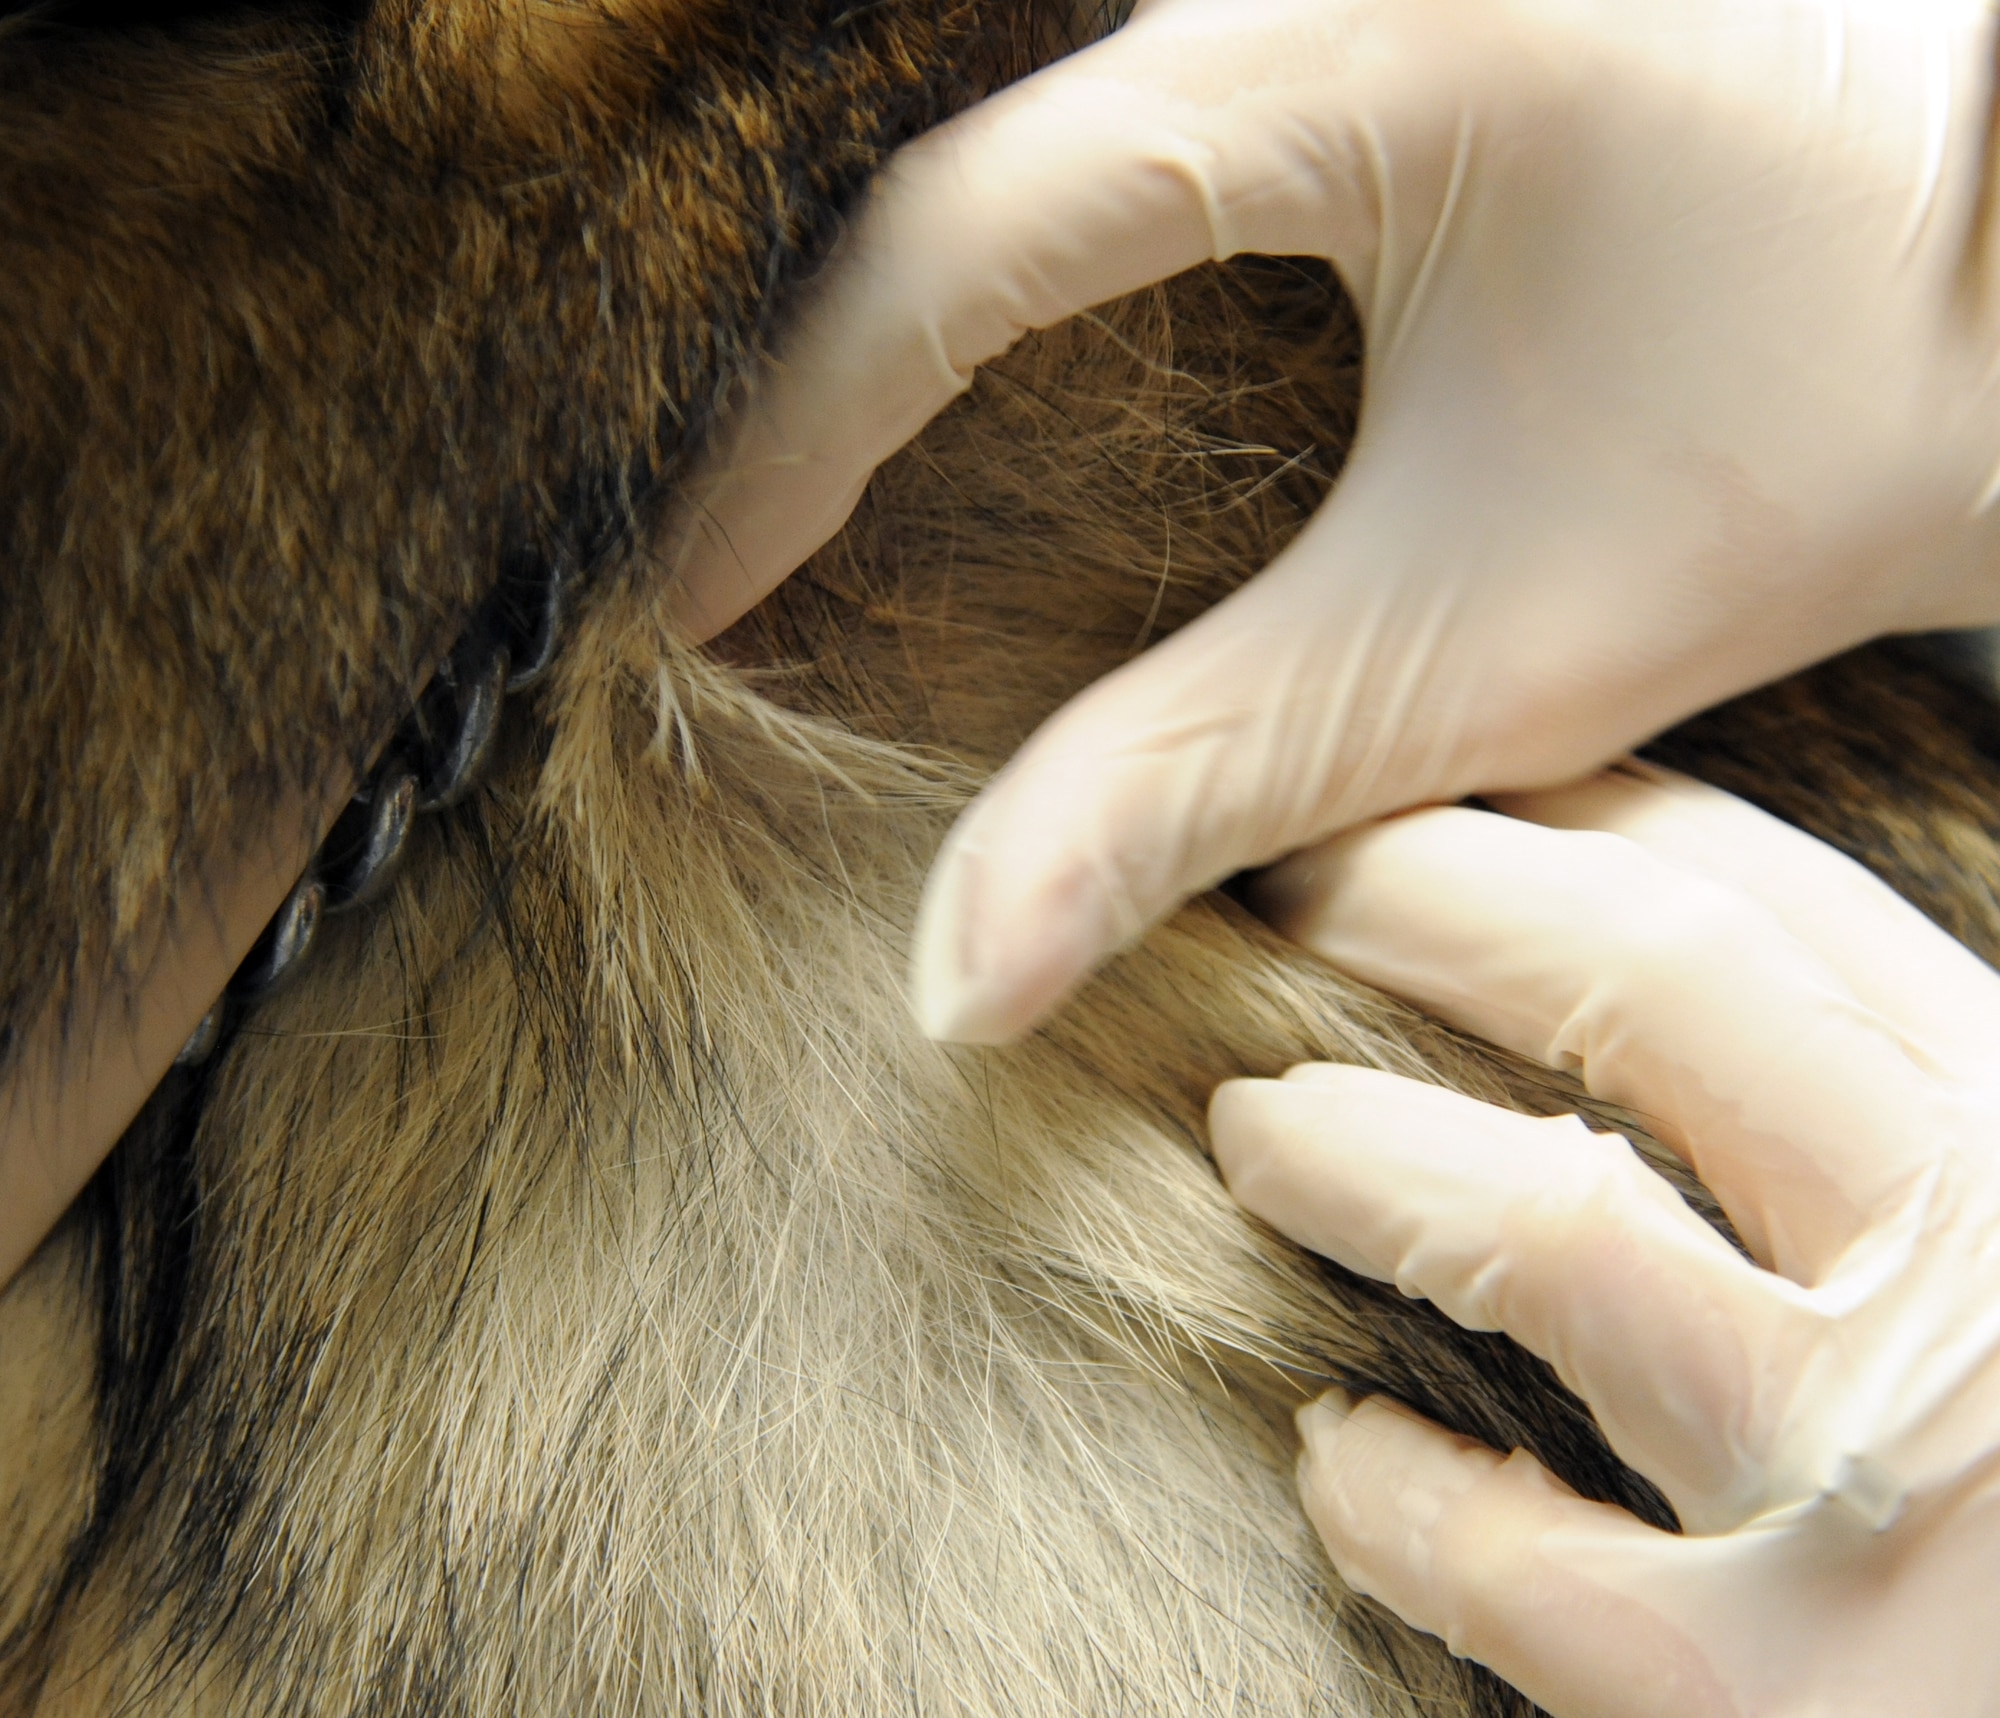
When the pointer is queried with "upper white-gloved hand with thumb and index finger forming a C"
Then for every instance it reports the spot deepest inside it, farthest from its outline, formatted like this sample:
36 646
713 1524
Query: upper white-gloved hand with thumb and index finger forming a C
1681 375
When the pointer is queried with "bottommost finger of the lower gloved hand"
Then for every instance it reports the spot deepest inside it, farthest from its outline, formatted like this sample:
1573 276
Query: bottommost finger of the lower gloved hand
1501 1559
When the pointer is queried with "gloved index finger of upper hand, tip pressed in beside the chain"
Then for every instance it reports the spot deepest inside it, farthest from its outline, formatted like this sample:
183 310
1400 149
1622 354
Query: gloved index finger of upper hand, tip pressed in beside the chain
1193 133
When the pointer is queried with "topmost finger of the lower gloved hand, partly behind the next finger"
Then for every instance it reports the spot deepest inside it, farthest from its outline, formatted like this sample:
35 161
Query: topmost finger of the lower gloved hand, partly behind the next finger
1931 989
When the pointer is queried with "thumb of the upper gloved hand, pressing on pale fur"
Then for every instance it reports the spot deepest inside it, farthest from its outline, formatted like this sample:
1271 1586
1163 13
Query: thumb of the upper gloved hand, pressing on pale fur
1305 703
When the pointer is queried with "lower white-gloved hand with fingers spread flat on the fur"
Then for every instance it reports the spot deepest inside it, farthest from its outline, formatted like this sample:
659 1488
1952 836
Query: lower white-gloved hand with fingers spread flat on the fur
1827 1421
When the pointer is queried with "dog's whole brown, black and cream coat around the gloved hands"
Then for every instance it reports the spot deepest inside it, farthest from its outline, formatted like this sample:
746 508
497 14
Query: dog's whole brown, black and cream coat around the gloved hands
585 1291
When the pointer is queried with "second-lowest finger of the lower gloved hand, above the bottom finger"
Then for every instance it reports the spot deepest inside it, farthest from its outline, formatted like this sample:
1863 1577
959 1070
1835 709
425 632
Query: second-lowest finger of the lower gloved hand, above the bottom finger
1541 1229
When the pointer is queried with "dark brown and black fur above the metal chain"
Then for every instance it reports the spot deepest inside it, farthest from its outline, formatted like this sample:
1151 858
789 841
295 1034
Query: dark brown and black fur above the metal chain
307 335
